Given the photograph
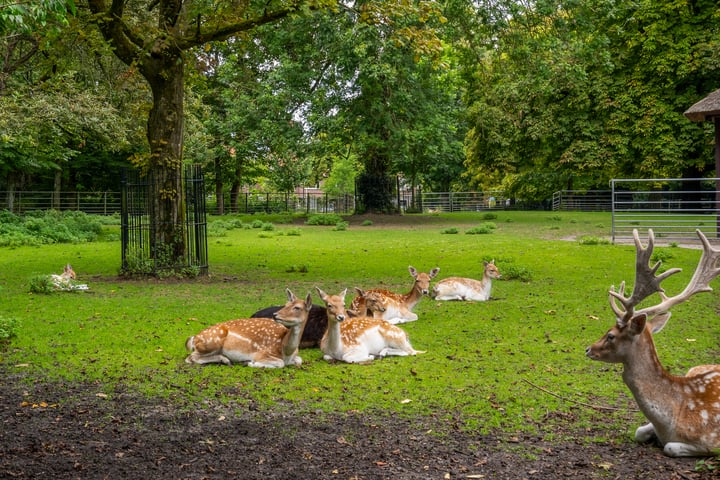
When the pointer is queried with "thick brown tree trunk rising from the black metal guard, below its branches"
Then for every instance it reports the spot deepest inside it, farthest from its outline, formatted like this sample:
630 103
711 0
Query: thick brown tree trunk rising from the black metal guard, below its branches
164 72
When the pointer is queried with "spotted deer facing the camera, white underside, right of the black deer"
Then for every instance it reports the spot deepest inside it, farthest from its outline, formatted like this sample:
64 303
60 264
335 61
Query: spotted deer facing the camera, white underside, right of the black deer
359 339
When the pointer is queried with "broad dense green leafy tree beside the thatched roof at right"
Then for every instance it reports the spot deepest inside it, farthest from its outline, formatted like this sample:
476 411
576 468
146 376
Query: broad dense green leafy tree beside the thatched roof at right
573 94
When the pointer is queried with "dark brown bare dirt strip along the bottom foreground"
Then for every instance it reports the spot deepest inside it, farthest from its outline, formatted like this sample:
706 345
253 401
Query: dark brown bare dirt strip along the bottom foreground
123 435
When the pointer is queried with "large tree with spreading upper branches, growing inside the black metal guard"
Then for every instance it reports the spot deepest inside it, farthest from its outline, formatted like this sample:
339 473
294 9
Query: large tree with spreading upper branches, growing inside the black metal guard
157 37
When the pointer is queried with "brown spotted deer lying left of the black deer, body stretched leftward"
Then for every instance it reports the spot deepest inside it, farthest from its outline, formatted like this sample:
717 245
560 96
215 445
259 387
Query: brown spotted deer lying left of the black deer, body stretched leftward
257 342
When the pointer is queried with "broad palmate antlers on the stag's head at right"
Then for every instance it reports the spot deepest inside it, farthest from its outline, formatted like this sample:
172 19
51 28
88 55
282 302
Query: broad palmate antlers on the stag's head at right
646 283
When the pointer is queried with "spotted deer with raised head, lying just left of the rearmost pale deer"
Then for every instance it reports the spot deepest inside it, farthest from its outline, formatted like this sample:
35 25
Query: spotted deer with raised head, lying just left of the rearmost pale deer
398 307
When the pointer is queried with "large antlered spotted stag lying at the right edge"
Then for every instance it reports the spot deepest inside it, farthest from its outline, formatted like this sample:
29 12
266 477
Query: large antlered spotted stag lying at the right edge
683 411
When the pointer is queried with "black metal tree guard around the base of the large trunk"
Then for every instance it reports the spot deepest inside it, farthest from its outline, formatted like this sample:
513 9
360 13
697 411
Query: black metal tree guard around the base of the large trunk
141 252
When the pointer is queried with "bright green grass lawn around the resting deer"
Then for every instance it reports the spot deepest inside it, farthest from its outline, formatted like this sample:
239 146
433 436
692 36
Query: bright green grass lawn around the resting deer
515 362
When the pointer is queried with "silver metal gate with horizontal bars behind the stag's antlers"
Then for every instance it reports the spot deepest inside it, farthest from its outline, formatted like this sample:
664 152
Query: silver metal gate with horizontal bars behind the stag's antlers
673 207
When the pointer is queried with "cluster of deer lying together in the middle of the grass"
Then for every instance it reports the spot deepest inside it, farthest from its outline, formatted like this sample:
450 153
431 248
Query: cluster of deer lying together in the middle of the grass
365 331
